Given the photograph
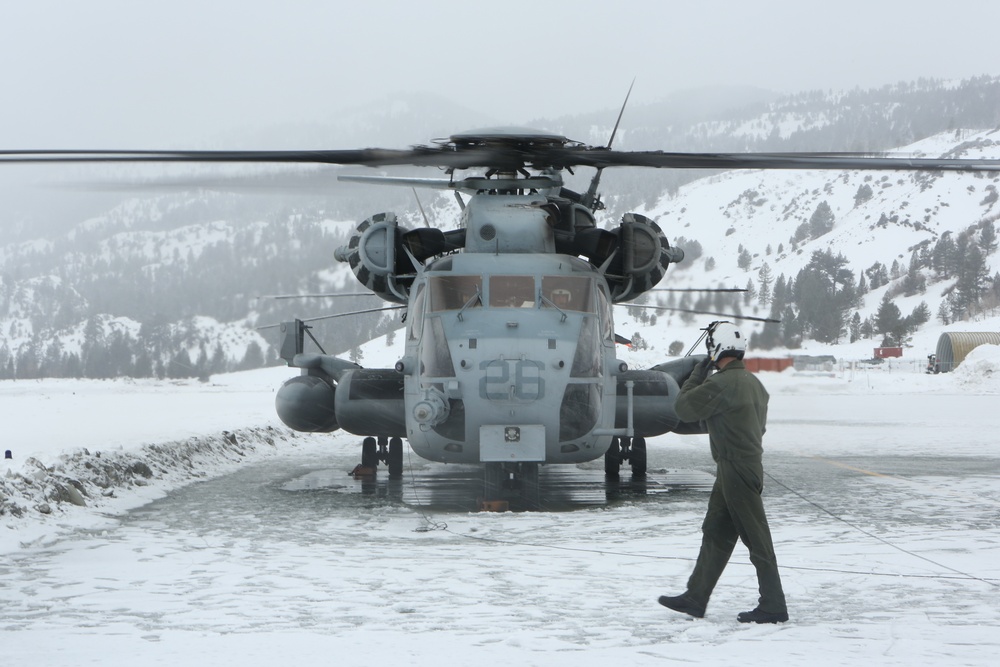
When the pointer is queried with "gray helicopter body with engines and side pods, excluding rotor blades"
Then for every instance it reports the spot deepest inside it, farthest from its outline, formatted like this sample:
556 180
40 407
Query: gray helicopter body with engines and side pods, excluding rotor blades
510 350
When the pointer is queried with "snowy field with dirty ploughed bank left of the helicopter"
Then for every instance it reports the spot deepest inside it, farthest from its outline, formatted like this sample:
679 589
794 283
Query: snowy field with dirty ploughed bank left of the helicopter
85 448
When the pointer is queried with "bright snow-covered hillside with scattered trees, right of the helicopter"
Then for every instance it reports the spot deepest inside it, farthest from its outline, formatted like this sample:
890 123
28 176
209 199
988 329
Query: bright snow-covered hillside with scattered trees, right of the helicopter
881 223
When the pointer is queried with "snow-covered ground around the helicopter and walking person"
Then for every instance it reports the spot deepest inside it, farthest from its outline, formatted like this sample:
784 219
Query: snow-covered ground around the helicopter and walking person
890 551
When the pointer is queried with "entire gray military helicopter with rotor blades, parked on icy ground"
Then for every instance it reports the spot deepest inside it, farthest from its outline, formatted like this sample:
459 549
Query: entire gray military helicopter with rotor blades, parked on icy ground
510 352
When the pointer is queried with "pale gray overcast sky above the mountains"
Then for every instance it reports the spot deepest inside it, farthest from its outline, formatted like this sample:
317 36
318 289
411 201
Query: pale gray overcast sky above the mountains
122 73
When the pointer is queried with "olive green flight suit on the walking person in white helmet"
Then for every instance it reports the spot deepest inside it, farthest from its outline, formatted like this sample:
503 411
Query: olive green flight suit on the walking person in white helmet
733 403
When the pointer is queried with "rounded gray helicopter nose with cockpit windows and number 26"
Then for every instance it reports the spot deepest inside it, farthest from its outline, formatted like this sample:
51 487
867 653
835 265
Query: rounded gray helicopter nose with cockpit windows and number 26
509 357
